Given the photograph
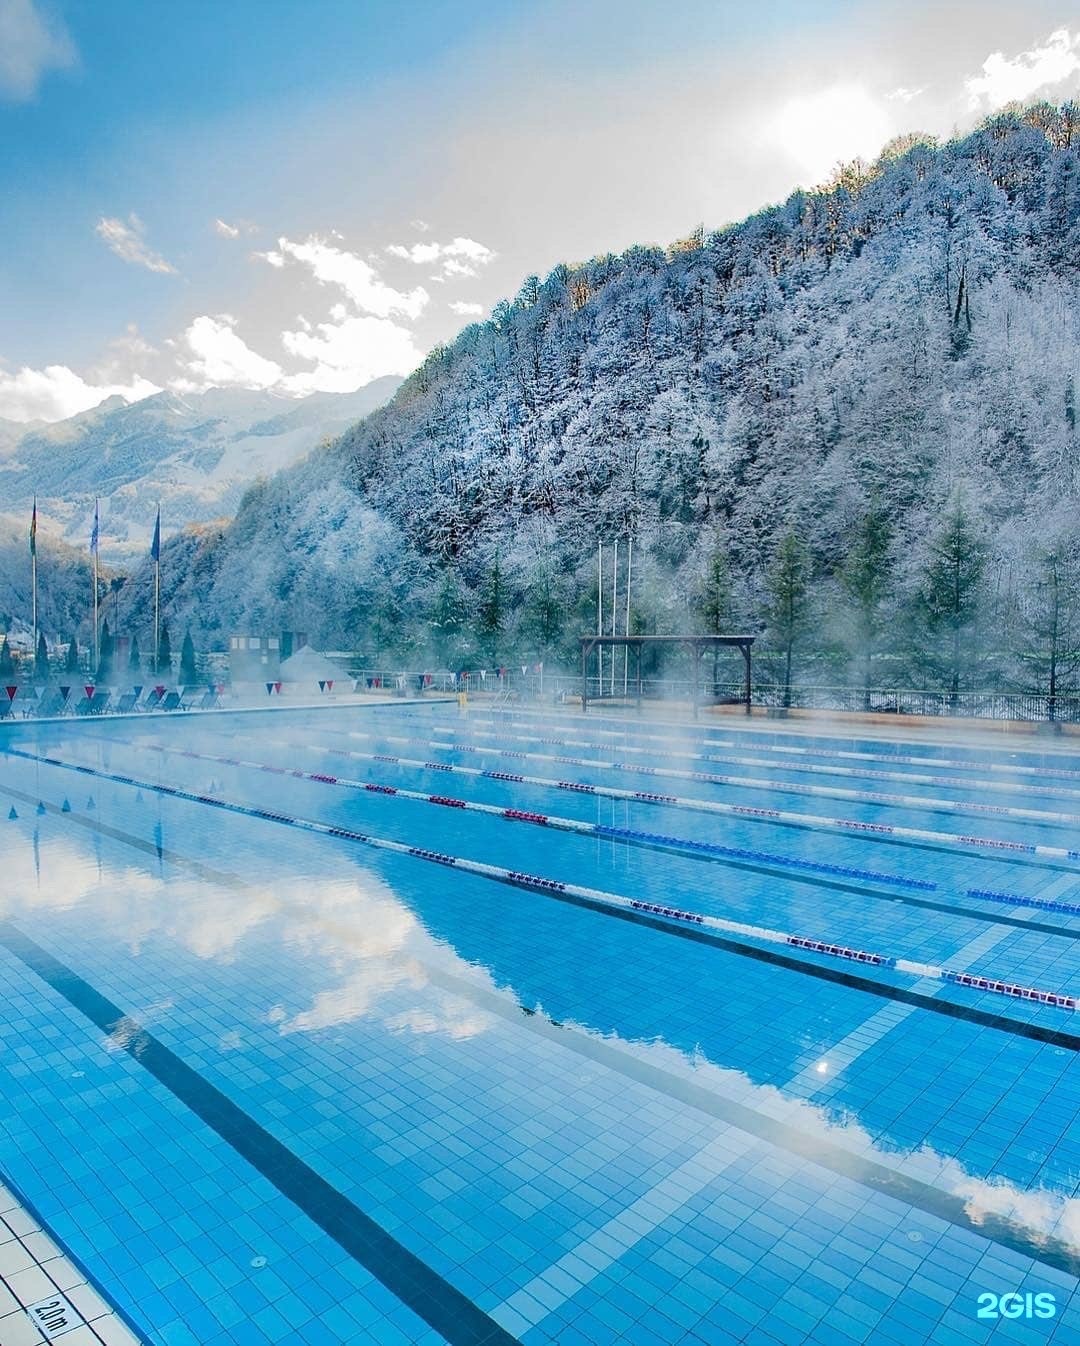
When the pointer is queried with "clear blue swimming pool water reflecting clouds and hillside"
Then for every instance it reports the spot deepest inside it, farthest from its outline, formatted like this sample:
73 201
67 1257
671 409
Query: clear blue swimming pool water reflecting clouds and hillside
273 1086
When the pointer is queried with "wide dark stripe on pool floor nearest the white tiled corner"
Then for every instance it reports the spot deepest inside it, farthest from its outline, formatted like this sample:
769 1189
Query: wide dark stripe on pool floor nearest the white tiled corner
417 1285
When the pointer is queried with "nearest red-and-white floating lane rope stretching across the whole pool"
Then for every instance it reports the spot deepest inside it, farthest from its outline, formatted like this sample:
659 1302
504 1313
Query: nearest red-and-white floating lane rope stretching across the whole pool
597 898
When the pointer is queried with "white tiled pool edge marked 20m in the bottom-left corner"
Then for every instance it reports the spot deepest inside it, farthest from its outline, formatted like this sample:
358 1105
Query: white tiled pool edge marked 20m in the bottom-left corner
33 1271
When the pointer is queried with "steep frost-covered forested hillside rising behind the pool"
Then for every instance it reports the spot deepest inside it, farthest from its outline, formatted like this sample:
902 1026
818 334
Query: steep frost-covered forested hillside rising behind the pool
848 422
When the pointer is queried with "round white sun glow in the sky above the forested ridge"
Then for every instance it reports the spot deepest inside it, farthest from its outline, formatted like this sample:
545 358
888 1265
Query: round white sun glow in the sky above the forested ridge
832 127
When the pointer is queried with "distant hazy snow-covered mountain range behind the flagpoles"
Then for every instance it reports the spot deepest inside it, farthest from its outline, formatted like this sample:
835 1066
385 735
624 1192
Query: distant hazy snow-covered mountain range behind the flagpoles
196 454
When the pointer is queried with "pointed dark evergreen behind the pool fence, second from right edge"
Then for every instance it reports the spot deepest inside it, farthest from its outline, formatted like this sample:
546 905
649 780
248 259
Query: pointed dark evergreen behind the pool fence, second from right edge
951 598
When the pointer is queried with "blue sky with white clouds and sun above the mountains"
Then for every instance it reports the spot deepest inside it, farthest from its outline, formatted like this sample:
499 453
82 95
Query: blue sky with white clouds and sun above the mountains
306 196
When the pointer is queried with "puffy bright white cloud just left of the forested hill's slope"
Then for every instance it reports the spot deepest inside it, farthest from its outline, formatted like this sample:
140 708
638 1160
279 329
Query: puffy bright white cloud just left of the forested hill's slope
349 352
